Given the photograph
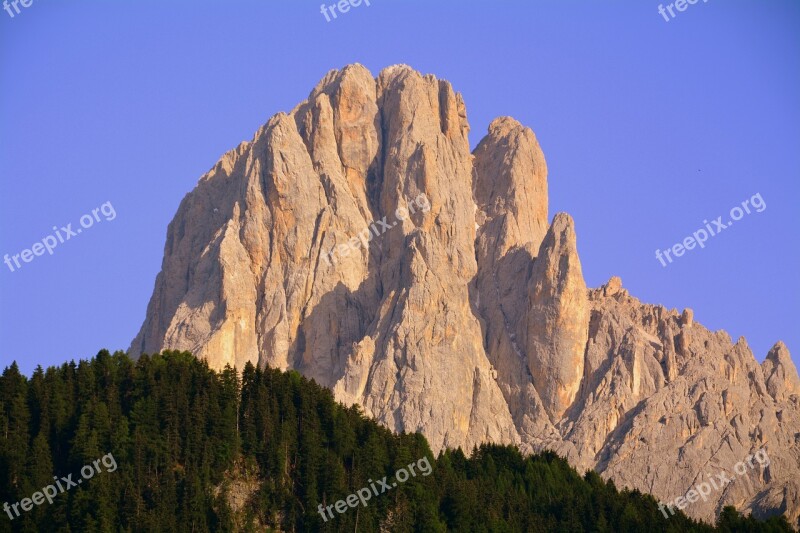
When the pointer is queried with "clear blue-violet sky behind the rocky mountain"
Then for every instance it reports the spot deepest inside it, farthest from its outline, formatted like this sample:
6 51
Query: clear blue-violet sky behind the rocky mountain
649 127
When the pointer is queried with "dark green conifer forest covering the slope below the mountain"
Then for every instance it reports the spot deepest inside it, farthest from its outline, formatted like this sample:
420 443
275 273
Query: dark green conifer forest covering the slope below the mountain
183 436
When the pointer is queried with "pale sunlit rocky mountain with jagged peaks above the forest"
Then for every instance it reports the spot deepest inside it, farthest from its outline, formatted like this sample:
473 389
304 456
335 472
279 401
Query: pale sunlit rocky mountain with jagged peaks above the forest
357 240
